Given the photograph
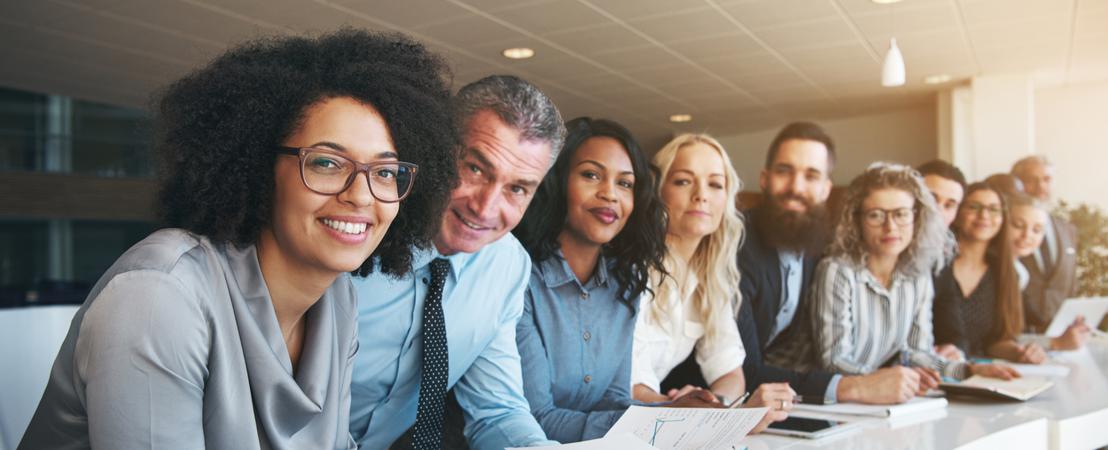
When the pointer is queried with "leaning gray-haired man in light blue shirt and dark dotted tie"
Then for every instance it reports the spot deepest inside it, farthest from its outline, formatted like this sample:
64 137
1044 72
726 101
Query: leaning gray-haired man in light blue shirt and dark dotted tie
452 323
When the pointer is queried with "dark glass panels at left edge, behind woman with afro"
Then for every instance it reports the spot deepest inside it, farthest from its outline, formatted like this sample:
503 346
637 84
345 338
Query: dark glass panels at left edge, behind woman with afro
57 261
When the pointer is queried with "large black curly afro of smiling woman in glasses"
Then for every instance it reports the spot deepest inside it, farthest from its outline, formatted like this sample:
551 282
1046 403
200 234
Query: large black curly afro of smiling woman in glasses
219 128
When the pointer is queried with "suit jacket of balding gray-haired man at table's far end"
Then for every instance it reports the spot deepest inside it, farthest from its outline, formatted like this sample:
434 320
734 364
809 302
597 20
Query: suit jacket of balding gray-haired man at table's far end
1047 292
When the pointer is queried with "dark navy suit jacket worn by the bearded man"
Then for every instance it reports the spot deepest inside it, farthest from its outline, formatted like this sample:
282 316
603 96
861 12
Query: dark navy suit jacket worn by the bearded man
762 300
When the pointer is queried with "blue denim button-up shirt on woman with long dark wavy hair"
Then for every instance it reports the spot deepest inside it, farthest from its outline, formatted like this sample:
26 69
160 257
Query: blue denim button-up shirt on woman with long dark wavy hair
576 342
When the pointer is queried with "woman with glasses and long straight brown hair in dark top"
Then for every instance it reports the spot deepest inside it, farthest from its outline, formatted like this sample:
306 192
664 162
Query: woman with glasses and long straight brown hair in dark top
981 287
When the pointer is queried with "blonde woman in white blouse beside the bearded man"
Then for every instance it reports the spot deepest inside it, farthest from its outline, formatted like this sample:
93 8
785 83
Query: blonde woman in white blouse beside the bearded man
694 309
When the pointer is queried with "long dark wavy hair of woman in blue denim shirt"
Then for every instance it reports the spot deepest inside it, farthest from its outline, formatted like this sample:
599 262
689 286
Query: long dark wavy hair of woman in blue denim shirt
641 246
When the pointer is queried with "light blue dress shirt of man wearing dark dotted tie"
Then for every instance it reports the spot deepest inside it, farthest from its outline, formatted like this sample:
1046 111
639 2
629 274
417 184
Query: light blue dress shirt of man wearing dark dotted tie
483 302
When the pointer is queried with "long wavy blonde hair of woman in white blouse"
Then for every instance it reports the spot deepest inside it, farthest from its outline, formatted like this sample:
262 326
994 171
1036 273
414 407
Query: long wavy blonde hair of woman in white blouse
715 261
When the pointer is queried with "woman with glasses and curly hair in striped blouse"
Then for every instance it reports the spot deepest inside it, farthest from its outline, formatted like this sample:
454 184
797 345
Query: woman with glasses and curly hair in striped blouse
873 295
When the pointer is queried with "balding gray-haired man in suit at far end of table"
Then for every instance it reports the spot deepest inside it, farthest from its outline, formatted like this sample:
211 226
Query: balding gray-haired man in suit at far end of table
1053 268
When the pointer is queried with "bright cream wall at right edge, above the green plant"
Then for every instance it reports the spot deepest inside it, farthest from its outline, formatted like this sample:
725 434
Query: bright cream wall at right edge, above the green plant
1071 131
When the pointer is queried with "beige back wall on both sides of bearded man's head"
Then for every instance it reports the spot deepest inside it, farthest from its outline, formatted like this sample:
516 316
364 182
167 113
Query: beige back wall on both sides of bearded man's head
906 137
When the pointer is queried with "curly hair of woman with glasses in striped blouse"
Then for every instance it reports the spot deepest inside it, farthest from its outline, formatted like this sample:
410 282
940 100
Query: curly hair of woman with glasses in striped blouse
931 244
